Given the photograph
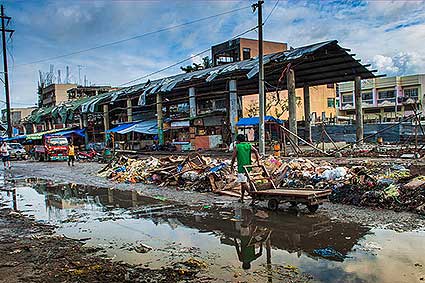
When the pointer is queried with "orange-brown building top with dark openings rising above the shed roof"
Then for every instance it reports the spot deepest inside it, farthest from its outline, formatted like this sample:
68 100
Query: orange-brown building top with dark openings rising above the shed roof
240 49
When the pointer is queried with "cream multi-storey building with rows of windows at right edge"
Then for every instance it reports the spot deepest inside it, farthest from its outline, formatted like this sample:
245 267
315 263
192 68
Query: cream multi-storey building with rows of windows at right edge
383 99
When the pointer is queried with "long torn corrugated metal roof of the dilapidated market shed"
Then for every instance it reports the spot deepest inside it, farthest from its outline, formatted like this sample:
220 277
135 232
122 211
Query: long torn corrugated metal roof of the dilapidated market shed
316 64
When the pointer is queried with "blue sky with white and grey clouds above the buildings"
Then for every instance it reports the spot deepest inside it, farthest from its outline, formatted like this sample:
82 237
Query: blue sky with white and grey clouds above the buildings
389 35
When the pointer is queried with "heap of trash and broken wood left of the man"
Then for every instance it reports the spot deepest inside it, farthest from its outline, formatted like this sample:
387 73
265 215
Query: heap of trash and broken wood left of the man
194 172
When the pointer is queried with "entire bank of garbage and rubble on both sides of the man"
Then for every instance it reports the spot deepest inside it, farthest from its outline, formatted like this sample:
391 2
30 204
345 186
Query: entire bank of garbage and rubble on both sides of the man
377 185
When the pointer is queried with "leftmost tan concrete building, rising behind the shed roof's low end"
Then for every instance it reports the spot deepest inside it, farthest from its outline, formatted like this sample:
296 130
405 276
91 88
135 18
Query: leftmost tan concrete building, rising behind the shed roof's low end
54 94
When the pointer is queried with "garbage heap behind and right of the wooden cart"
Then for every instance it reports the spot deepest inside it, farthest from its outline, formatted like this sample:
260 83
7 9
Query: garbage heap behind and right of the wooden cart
389 186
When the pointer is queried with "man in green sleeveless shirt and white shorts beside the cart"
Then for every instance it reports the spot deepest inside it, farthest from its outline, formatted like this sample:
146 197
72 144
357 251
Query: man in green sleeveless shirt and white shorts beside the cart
242 153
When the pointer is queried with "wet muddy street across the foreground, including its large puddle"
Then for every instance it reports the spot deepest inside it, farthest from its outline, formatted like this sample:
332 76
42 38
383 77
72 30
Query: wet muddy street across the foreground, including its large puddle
125 226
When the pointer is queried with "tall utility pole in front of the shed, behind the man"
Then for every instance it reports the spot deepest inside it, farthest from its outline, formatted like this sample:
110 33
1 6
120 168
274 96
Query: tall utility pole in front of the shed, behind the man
261 95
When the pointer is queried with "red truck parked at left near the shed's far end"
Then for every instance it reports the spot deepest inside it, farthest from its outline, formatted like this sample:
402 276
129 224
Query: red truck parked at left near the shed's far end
53 148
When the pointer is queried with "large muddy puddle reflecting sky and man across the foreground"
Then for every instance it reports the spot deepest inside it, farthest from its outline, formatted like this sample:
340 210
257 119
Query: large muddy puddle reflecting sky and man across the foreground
236 244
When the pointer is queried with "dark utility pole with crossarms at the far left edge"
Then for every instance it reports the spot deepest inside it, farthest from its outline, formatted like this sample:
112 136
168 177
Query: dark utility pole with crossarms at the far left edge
6 75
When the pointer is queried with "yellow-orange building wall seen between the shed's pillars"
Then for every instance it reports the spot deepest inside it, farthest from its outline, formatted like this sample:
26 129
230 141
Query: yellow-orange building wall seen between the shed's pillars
322 103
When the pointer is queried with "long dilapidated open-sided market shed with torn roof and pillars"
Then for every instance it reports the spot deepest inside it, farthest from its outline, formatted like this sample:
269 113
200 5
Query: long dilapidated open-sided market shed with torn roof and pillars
200 110
